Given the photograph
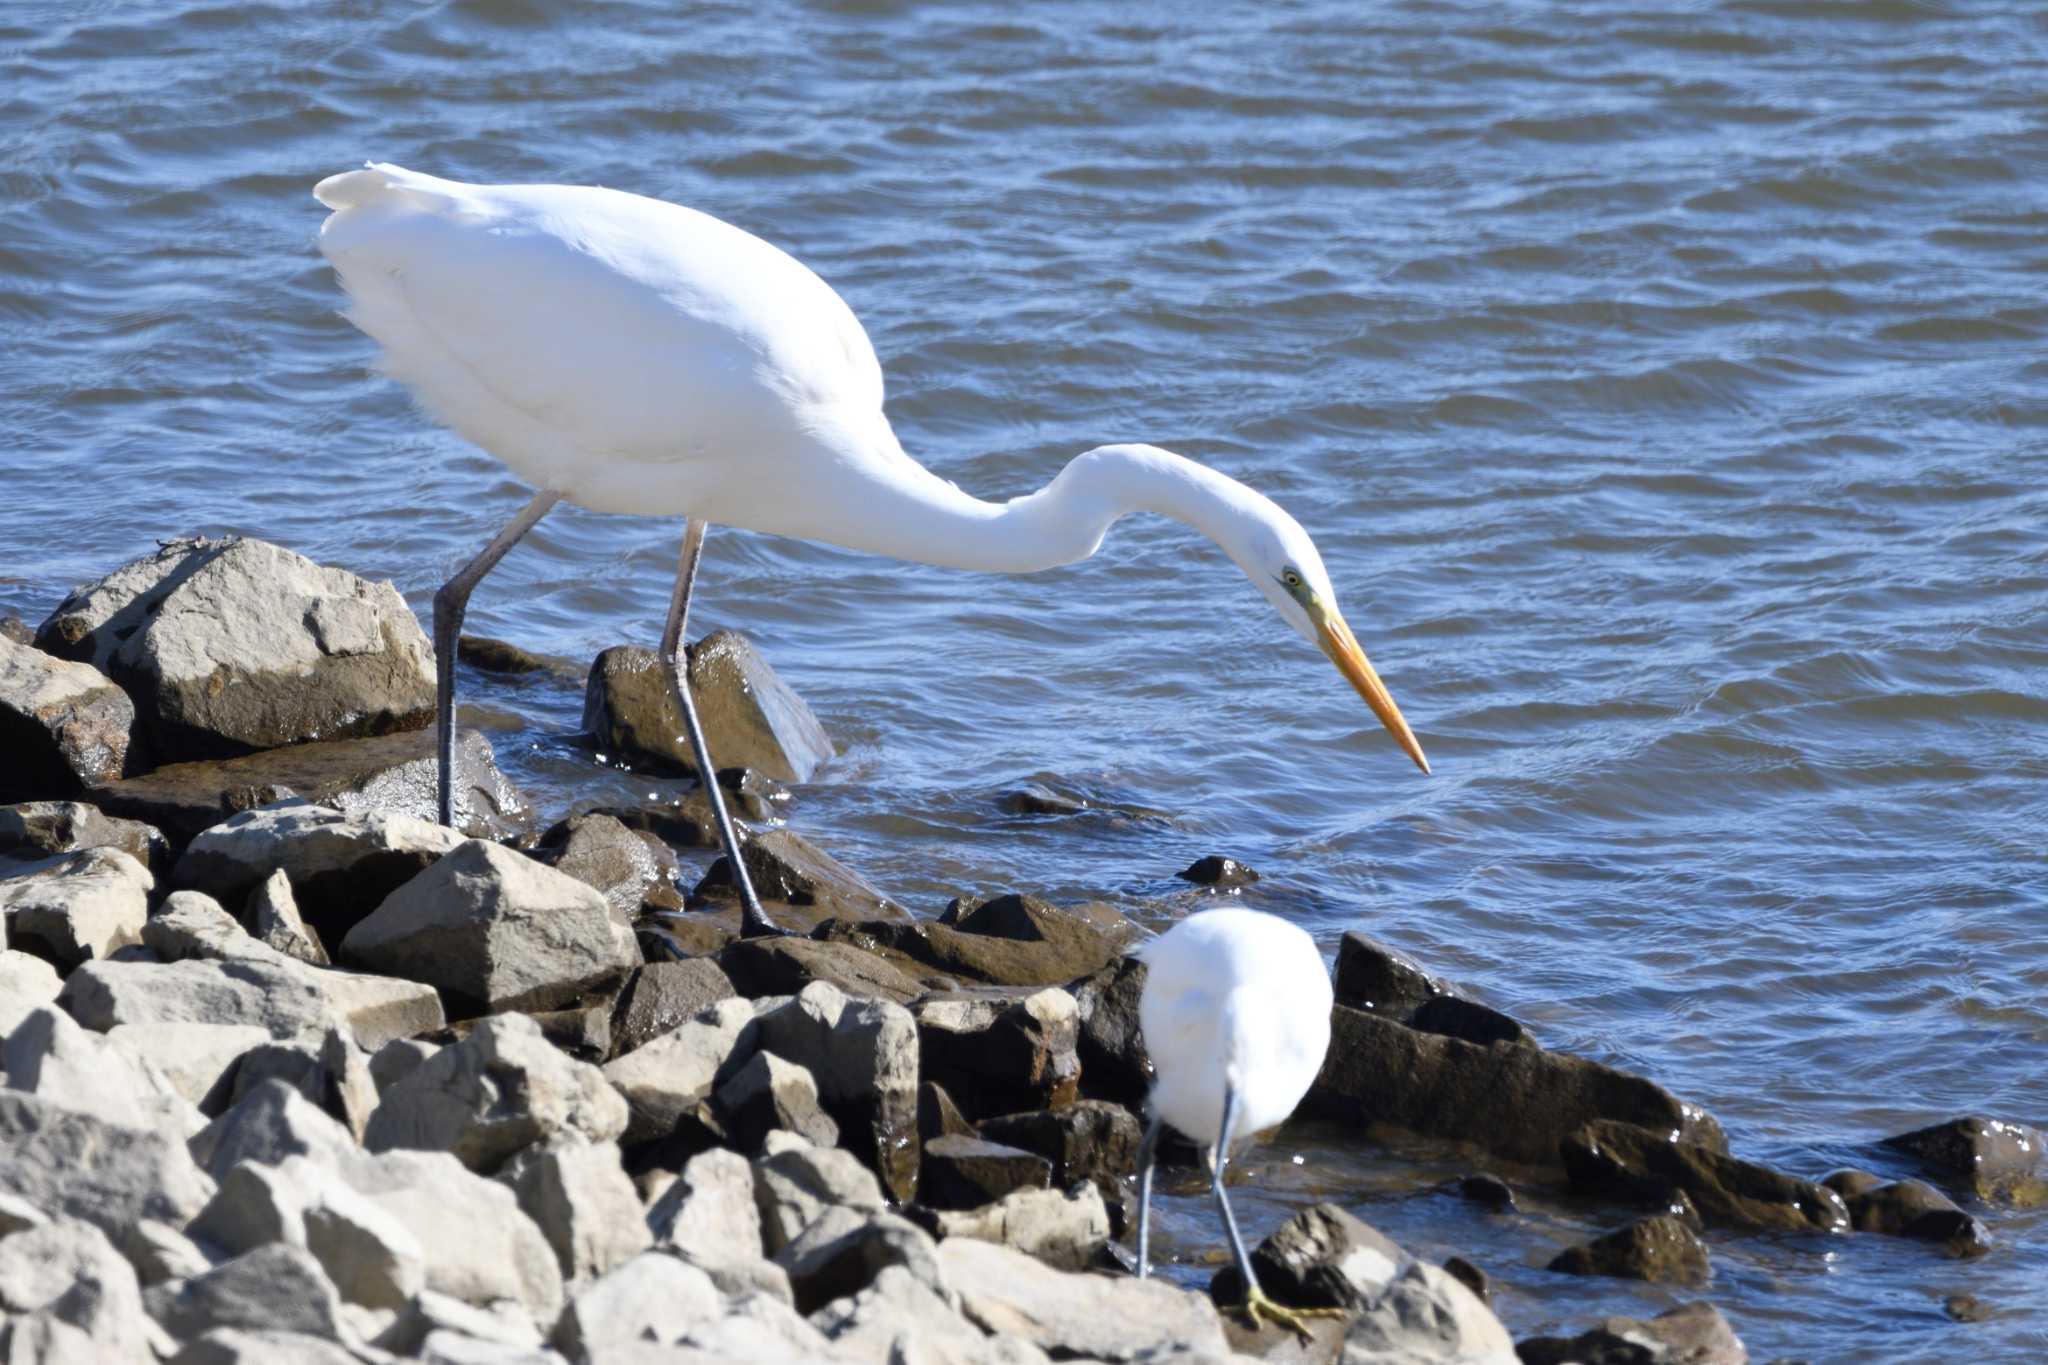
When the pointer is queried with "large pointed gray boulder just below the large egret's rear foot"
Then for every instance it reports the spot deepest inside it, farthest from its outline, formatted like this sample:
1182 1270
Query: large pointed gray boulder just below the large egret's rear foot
495 930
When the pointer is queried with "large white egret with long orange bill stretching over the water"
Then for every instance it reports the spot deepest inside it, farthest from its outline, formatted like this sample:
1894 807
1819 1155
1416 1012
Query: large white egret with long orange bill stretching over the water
632 355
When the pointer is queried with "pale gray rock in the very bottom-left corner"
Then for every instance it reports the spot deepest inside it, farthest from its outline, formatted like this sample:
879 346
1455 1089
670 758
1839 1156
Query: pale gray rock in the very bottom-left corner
71 1272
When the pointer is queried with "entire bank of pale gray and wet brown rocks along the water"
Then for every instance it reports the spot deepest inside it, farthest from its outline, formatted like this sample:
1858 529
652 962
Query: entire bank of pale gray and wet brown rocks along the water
294 1073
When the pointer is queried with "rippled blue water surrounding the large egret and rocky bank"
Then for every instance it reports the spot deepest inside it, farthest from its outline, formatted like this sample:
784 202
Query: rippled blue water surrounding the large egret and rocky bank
1662 382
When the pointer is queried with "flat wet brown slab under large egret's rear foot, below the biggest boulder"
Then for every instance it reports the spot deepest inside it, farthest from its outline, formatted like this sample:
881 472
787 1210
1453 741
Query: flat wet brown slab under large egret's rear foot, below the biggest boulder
390 775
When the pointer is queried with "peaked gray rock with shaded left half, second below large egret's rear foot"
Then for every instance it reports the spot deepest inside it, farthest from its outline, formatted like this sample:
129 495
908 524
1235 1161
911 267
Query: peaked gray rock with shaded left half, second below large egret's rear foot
493 1094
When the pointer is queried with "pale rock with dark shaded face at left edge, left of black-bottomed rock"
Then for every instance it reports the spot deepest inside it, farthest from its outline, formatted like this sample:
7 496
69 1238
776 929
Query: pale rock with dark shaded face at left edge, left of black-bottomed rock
75 908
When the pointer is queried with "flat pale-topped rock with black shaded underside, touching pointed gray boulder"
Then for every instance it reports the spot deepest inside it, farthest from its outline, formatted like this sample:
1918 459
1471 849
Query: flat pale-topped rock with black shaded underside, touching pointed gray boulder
341 867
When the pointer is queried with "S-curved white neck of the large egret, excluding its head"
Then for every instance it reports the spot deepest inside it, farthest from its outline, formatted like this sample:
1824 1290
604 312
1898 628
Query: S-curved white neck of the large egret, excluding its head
908 513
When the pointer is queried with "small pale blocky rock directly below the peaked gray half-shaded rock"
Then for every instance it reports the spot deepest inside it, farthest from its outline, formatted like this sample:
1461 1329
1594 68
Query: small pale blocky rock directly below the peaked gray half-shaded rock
585 1204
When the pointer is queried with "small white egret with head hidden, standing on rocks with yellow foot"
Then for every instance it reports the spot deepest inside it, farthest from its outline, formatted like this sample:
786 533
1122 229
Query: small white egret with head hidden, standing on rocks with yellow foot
1236 1016
